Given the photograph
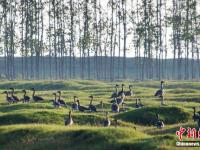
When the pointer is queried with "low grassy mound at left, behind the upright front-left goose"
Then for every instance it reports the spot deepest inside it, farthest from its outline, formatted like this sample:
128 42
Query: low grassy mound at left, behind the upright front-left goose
49 117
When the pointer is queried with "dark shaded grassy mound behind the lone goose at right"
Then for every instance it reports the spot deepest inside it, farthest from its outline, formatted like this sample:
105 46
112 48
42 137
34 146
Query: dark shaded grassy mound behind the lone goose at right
146 116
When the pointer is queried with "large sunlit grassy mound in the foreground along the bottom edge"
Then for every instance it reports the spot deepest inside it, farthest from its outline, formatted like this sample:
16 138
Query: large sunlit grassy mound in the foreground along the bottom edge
59 137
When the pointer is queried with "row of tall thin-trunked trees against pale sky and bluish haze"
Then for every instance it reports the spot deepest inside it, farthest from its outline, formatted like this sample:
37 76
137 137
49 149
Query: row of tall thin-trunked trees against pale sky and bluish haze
55 37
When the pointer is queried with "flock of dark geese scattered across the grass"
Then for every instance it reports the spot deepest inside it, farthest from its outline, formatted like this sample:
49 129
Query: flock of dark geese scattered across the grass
117 101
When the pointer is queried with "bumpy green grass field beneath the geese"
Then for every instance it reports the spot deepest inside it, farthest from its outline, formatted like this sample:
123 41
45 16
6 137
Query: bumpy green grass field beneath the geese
41 126
